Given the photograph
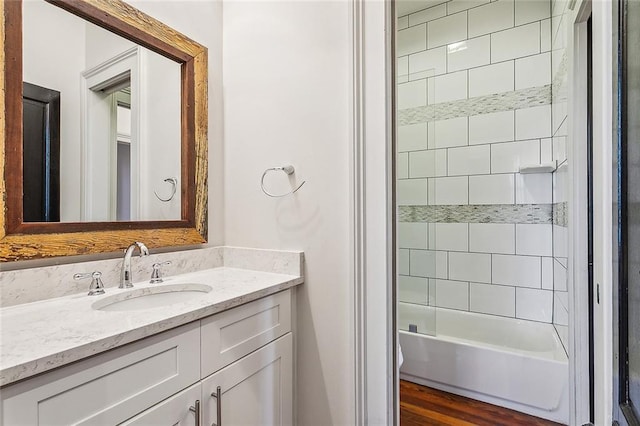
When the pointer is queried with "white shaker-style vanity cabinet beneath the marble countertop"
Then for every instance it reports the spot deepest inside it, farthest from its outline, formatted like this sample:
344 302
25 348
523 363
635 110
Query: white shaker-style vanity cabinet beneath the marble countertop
246 350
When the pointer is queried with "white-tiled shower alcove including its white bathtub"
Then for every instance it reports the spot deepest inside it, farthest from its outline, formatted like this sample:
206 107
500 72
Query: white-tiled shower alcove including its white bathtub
481 200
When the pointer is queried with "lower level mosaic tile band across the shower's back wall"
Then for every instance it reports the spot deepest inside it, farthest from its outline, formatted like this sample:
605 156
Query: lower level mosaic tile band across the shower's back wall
495 213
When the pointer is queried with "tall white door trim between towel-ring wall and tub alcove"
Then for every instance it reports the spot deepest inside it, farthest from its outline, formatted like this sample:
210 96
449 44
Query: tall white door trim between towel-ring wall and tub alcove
371 208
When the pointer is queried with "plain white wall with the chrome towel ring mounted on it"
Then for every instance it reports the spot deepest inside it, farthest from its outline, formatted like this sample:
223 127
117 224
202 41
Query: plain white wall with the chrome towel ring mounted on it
286 100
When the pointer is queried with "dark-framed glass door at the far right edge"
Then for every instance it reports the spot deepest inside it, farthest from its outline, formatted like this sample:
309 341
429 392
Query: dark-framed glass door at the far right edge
628 374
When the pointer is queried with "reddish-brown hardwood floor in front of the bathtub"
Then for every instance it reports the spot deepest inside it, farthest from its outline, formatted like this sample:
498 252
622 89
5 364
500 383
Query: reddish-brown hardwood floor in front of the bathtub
422 406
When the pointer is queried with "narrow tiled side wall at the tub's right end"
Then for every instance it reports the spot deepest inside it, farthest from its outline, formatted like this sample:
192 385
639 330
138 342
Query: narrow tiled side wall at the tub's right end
559 66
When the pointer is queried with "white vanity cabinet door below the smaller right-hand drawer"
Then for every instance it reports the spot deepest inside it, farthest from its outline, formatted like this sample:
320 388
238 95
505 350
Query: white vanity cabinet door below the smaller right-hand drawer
255 391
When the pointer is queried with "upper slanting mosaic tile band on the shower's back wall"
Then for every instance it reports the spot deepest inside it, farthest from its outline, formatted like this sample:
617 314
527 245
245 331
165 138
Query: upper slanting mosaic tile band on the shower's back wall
518 99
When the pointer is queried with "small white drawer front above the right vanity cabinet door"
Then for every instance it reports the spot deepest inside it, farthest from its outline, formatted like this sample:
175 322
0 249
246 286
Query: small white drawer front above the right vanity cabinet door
230 335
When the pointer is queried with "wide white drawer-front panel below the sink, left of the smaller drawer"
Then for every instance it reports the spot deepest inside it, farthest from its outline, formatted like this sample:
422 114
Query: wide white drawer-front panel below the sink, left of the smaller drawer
109 388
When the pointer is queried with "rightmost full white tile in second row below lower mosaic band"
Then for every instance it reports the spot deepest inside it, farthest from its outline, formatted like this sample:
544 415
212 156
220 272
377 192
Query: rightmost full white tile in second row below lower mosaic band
519 271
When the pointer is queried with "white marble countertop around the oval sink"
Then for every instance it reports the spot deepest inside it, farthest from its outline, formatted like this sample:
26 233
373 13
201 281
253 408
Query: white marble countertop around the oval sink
40 336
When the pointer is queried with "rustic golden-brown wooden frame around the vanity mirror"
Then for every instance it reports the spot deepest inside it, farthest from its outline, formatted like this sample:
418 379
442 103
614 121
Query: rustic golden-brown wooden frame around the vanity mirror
29 240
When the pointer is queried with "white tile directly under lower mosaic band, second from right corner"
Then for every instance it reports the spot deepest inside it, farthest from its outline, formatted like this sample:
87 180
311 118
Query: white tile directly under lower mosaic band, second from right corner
492 238
